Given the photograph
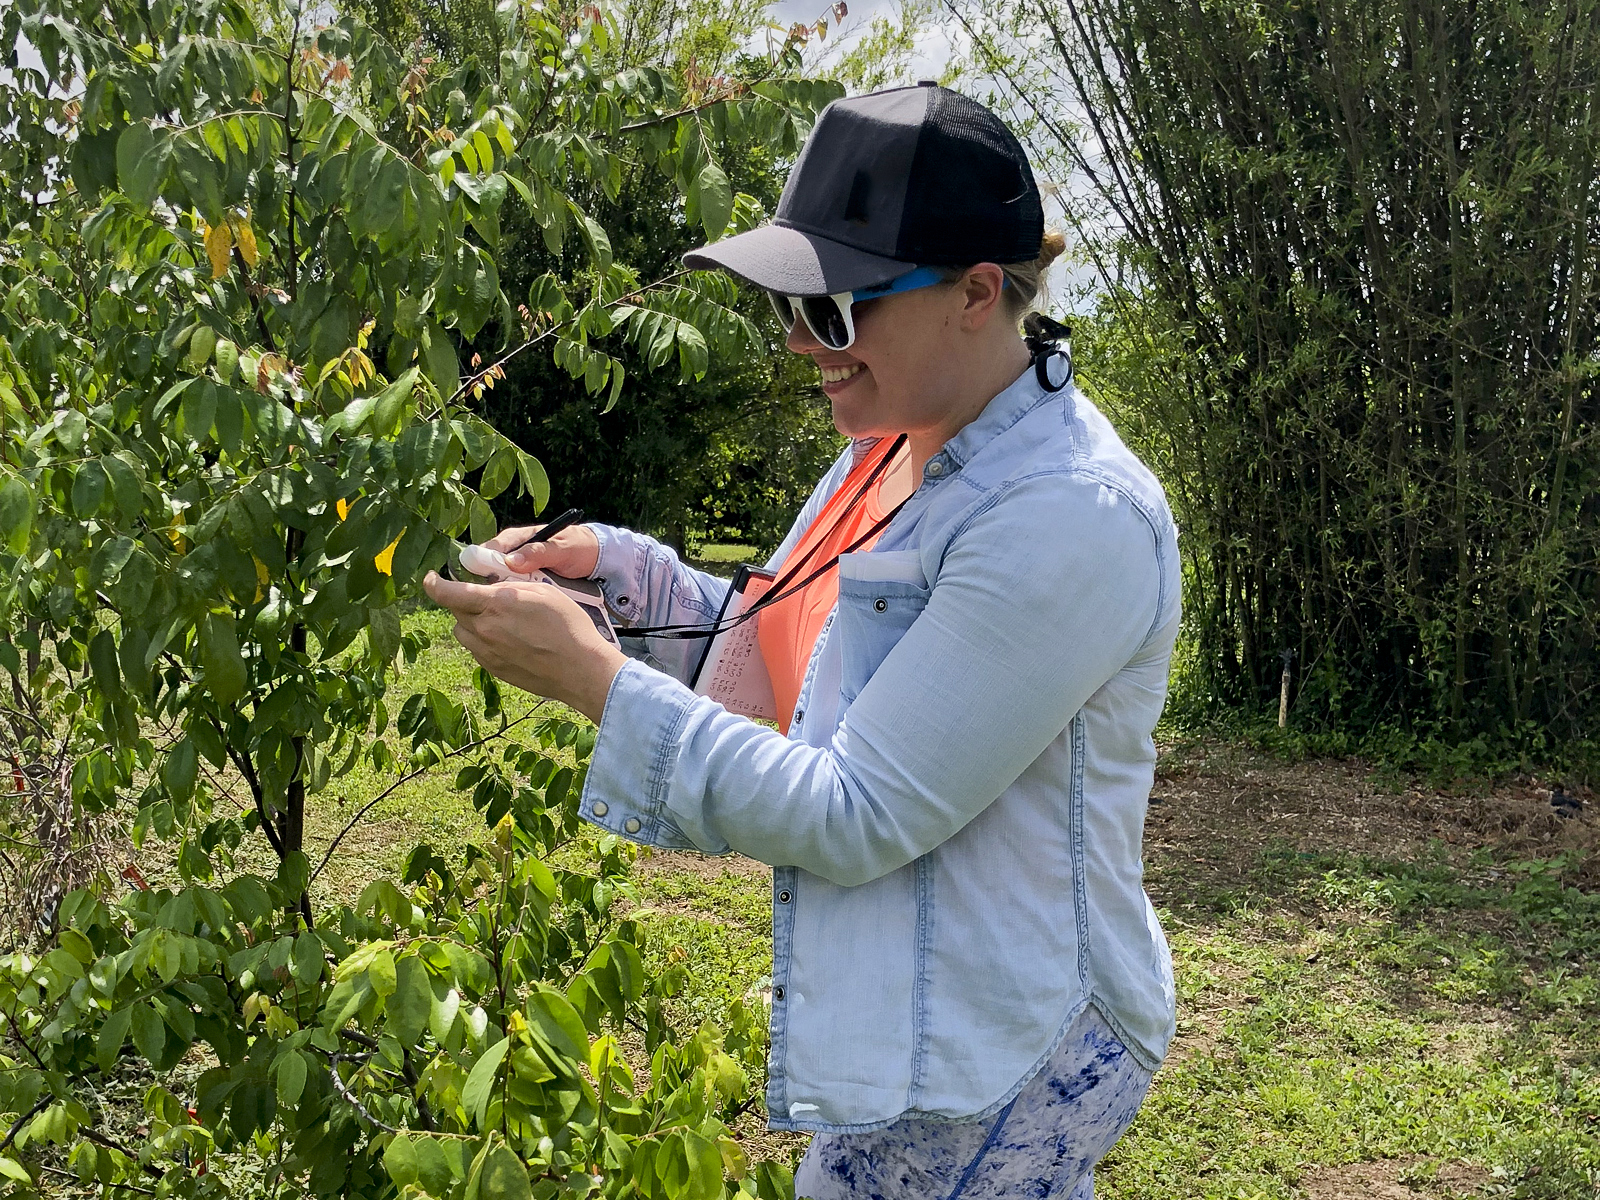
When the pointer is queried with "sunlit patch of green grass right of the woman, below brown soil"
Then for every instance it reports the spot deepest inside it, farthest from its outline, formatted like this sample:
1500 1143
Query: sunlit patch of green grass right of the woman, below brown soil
1342 1009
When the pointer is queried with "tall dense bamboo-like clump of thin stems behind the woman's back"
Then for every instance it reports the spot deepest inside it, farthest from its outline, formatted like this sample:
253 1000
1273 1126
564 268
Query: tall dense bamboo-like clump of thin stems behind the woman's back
1351 313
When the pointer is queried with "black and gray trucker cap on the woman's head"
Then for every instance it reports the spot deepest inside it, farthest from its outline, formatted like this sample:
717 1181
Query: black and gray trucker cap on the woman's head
886 183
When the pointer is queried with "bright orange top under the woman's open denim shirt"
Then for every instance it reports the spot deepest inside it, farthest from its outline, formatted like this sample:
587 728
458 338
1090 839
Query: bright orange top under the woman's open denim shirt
788 631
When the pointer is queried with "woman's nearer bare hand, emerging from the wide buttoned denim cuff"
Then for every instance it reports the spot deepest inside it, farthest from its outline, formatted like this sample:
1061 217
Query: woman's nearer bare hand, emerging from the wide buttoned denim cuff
534 638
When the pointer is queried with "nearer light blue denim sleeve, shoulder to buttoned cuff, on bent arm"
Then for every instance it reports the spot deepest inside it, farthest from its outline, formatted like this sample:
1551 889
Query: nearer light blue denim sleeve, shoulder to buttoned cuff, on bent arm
1044 596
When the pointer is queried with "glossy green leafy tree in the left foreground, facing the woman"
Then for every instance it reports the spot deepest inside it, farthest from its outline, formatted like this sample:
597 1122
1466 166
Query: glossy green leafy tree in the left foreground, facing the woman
244 263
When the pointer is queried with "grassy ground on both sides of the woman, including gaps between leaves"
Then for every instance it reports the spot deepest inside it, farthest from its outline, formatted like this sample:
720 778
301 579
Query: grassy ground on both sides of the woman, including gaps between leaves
1431 1009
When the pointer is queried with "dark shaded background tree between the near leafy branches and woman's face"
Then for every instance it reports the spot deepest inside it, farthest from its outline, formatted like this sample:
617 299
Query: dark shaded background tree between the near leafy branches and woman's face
730 455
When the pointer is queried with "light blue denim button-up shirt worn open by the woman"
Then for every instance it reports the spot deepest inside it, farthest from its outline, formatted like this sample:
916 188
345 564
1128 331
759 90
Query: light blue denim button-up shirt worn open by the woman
956 817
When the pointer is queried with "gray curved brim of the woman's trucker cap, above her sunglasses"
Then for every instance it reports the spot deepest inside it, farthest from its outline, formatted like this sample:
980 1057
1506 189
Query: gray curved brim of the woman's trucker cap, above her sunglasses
796 263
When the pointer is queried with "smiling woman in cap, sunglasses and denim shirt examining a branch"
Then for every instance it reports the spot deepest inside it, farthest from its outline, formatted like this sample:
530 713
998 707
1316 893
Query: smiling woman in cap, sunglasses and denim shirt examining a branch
970 990
